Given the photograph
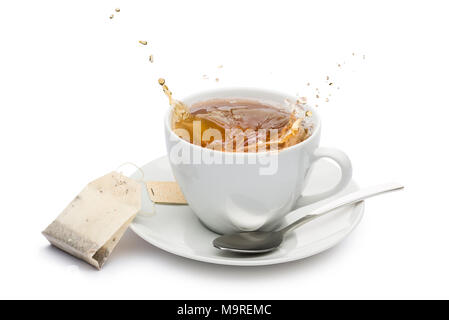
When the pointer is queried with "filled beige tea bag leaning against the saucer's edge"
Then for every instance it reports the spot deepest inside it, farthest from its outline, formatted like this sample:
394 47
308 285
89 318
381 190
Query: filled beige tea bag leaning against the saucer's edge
90 227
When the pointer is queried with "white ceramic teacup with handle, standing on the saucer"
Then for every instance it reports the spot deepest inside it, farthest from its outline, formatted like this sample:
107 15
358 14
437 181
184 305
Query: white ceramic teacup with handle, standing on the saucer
233 191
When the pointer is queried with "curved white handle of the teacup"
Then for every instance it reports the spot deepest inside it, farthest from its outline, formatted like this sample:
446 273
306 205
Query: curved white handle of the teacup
345 168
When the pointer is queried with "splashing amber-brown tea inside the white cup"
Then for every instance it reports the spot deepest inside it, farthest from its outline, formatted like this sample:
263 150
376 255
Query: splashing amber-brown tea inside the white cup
238 125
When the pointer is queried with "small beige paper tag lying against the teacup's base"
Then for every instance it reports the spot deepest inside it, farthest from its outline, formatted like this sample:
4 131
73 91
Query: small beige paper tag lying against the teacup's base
165 192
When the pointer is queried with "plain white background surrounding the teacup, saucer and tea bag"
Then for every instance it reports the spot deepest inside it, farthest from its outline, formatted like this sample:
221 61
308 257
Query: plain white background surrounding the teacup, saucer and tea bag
78 97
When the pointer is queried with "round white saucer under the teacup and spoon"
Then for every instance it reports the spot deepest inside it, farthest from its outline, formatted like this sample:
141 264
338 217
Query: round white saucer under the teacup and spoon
175 228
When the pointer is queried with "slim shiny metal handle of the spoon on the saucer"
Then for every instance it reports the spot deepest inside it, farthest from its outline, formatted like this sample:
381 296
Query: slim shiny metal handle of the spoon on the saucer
343 201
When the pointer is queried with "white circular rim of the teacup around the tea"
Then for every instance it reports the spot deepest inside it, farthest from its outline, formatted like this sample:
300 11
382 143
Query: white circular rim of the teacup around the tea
317 122
